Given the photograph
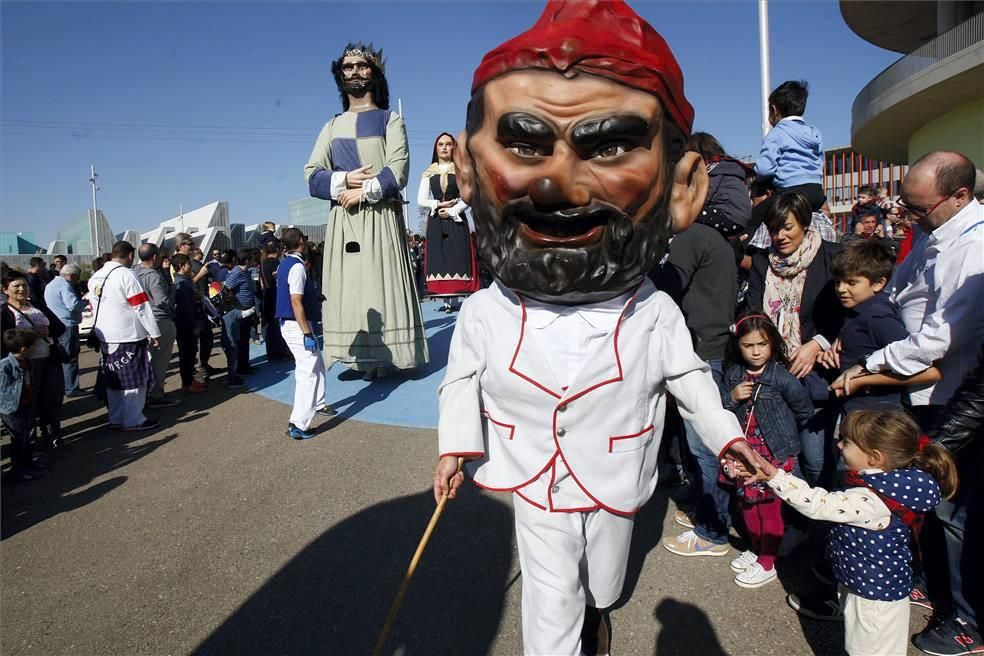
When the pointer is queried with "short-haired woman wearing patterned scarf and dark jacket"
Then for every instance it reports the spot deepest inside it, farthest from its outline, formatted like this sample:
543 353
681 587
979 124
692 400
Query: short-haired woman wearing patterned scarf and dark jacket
792 284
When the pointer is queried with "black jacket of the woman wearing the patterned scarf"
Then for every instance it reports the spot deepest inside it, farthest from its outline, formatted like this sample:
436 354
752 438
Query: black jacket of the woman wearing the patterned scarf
820 311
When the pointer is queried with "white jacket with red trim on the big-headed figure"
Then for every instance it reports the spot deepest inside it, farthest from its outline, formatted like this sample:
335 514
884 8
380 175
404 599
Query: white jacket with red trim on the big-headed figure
500 403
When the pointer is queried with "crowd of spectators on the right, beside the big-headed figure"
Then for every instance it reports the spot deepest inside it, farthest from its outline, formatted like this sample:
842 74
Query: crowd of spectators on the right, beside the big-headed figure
852 343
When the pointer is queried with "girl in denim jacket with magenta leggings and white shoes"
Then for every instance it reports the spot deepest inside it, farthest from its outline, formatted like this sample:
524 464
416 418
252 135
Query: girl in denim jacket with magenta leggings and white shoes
771 405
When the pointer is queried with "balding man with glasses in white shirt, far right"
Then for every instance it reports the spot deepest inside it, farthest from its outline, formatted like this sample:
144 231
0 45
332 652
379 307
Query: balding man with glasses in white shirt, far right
939 289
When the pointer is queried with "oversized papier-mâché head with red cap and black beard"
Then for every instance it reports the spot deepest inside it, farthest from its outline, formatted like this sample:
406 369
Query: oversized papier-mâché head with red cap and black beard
574 158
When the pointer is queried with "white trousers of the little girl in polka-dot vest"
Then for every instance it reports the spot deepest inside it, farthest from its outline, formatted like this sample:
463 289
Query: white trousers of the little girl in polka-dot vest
874 628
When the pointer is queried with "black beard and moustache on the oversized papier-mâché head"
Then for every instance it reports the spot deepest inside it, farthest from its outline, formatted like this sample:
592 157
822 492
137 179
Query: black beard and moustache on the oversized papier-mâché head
613 265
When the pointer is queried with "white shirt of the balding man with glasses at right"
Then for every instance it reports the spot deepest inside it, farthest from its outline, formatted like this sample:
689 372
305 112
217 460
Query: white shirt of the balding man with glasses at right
940 291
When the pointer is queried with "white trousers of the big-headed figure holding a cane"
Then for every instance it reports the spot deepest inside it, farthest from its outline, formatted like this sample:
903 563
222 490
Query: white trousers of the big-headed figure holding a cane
568 560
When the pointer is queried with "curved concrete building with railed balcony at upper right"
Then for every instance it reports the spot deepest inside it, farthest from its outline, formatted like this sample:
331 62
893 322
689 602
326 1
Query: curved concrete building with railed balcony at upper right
933 97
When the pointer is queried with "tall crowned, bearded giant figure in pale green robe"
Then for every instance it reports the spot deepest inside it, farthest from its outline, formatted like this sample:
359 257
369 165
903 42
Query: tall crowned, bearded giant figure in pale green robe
371 313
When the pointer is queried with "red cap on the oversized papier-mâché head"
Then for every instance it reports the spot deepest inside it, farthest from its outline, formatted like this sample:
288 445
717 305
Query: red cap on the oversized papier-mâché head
600 37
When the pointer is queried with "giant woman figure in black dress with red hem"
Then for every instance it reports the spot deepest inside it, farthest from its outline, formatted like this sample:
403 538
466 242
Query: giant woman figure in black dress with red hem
450 266
